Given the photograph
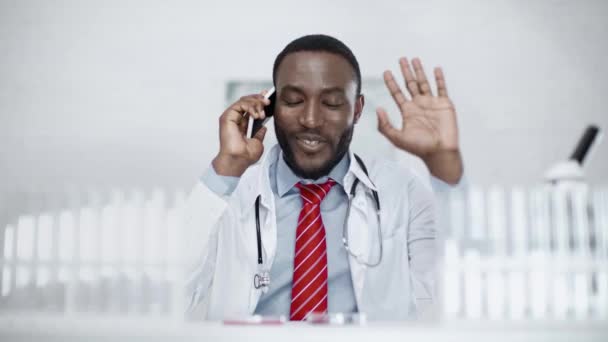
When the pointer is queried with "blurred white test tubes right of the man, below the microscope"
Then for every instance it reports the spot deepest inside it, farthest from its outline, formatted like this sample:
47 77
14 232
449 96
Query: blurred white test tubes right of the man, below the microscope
515 254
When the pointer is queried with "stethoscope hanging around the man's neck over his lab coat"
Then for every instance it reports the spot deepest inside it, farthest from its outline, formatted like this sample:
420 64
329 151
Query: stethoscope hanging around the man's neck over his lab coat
262 278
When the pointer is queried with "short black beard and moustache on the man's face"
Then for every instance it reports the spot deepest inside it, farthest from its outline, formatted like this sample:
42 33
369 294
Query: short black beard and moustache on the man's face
323 170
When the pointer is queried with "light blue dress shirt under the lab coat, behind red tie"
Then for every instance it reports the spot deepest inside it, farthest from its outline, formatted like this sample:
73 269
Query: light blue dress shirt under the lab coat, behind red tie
275 302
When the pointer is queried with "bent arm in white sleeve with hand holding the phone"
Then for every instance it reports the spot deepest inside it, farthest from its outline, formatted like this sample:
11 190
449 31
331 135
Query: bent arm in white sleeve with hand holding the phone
204 214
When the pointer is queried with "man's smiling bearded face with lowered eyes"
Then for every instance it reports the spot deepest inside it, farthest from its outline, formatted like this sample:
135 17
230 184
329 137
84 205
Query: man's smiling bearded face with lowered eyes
319 103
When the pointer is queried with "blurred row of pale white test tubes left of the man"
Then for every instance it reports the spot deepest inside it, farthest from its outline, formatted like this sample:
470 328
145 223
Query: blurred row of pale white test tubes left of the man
115 252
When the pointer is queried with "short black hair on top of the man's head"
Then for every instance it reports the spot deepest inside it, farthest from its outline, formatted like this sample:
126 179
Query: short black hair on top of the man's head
319 43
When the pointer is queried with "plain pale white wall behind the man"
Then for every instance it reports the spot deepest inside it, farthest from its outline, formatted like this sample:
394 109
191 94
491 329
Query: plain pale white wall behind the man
128 93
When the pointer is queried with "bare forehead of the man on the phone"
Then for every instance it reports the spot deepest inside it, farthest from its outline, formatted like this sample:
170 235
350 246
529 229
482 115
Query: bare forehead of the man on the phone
314 70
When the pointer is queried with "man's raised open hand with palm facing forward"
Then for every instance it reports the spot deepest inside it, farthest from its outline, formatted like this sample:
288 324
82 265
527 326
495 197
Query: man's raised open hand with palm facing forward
428 121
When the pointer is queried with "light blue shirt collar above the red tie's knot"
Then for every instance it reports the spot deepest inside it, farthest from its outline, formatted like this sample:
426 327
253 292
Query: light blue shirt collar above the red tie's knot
287 179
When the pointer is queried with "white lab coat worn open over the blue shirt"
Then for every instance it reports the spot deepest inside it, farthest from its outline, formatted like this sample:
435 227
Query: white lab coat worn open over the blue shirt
222 239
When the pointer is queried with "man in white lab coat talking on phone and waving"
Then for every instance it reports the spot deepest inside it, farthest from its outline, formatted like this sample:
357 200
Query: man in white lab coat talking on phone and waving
303 195
